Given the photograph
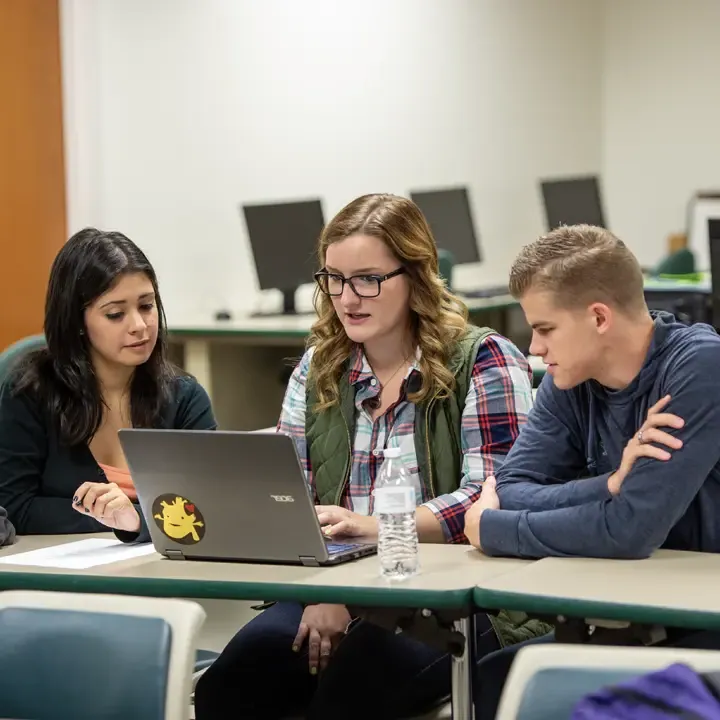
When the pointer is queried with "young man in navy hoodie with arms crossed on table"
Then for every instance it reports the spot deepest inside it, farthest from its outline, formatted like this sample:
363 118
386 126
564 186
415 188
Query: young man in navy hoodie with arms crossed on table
621 452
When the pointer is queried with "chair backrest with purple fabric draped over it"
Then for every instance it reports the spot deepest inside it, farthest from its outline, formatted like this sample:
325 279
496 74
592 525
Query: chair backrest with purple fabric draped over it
547 680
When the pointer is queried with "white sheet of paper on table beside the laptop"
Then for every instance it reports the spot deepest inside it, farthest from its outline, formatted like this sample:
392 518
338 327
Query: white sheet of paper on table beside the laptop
80 555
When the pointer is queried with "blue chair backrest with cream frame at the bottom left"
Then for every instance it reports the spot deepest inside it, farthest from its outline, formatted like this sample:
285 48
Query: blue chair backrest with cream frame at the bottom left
89 656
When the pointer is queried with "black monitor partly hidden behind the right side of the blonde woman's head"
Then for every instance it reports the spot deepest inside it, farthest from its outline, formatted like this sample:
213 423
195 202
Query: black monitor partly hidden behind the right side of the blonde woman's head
448 214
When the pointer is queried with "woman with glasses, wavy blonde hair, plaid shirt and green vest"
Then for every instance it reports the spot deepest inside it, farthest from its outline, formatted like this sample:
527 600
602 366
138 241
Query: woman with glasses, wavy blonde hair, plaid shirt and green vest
391 362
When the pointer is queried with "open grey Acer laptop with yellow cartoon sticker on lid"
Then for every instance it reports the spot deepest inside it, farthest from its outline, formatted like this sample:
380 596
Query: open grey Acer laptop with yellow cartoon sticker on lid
231 496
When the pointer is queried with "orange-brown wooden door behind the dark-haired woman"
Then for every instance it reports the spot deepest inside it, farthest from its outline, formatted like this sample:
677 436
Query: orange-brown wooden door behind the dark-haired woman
32 174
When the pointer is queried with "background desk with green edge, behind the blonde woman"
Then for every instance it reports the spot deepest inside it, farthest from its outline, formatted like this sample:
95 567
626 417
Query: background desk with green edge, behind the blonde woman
240 362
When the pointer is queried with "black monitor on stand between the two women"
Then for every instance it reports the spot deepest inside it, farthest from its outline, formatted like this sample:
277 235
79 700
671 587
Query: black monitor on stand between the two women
283 239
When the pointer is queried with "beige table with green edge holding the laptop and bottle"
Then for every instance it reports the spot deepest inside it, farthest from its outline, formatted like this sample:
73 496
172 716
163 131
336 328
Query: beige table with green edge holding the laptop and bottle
449 574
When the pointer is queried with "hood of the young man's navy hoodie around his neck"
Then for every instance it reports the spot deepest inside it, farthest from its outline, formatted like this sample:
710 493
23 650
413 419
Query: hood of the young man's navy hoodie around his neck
669 337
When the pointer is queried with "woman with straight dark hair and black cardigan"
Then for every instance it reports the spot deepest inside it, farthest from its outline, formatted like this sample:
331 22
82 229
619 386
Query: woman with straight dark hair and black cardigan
105 367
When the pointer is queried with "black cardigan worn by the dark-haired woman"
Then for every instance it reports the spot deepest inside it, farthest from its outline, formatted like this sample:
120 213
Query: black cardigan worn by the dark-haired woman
39 475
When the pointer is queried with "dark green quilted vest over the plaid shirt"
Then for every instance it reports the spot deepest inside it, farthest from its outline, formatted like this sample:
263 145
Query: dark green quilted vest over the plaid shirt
438 447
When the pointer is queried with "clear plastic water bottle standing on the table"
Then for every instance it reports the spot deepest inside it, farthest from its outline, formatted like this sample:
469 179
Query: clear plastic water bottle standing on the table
395 509
